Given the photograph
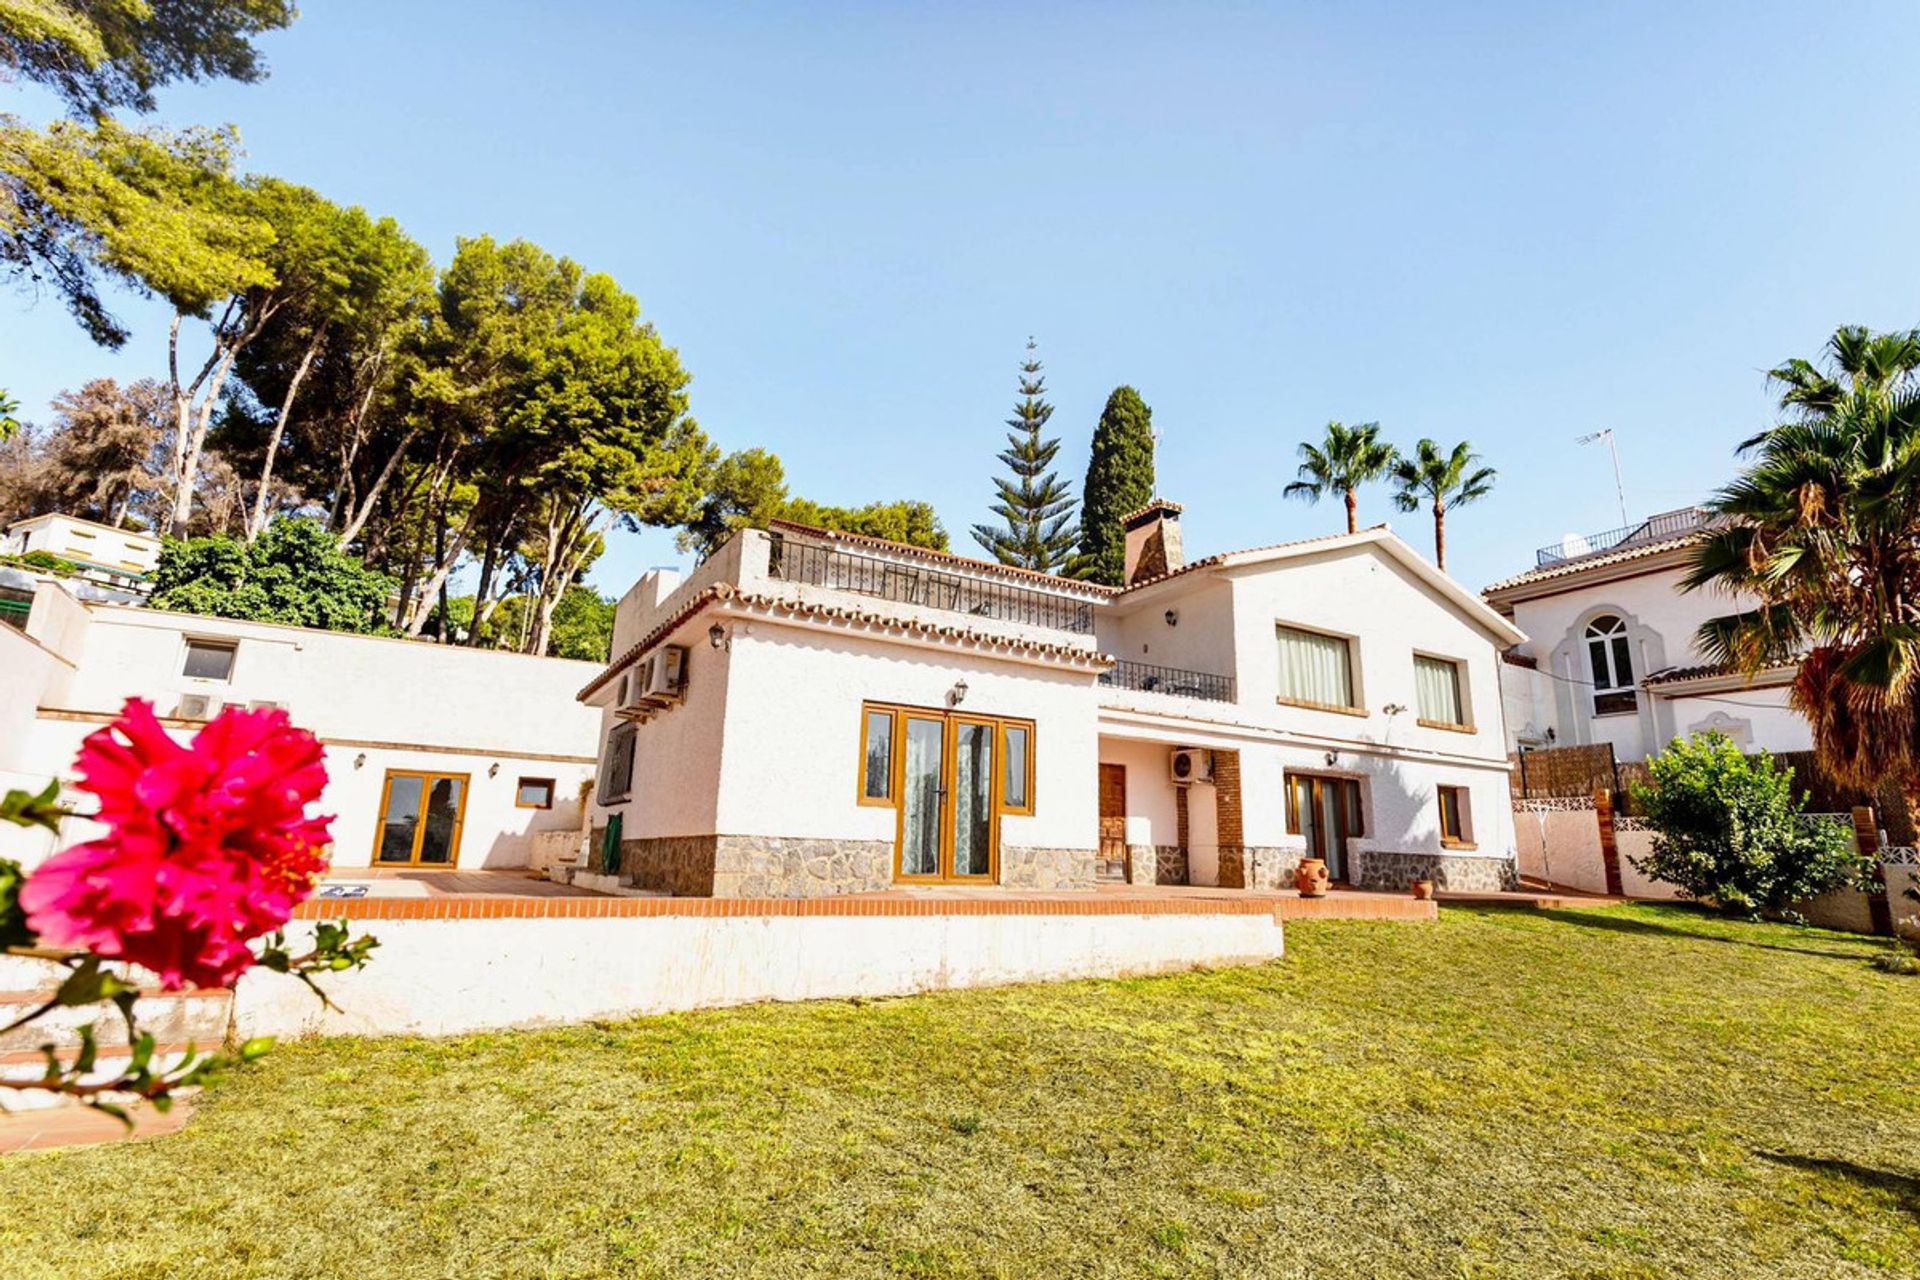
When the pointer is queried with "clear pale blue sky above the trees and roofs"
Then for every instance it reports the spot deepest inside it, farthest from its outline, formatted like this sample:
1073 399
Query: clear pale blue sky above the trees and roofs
1510 224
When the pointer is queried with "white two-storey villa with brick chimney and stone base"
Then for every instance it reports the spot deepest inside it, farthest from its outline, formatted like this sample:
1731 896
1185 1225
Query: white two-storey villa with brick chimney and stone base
815 713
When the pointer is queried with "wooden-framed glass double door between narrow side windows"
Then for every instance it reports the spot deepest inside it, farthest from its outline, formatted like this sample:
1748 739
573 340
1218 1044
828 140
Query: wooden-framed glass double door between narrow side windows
949 786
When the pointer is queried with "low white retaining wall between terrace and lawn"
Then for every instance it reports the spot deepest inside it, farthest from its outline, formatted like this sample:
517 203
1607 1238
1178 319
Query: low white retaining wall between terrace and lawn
456 976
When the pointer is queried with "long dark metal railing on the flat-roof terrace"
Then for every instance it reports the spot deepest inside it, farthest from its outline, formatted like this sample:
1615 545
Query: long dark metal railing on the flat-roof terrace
930 588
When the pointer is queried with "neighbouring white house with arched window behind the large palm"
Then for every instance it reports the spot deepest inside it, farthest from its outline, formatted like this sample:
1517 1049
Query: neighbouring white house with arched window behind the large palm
1614 655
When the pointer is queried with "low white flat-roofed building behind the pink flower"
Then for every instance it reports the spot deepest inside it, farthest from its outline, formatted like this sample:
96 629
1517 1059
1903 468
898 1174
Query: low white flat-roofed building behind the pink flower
437 757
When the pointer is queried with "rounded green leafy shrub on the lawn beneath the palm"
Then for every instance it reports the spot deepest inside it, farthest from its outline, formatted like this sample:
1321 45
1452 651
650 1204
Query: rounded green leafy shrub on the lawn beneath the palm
1729 832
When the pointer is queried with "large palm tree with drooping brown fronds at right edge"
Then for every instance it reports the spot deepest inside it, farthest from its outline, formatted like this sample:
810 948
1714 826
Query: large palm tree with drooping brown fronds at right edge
1821 534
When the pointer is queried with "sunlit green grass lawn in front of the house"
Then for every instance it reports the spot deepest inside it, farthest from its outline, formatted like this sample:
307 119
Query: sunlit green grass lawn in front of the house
1629 1093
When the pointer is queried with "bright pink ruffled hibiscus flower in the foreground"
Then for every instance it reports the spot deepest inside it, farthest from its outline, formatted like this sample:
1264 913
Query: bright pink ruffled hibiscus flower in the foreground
208 847
